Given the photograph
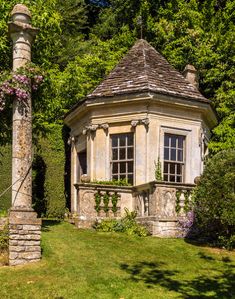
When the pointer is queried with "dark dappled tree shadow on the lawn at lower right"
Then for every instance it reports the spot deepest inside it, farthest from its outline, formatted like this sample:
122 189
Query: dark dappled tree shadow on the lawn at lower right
214 284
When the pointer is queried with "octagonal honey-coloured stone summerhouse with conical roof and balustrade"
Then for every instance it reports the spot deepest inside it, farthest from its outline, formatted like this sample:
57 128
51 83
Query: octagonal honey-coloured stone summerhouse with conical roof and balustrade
145 114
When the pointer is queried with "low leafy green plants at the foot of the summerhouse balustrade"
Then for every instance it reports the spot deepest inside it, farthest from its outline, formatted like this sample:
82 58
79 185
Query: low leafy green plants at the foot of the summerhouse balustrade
127 225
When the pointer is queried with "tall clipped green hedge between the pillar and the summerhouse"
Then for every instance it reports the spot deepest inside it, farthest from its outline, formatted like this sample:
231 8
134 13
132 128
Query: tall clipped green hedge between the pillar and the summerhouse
48 167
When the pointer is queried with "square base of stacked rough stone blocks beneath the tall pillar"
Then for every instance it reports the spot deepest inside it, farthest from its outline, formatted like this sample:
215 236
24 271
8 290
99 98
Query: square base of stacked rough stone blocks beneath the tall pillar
24 236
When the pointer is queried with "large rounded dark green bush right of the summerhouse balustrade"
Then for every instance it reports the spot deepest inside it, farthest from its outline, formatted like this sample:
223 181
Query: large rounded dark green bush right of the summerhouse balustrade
214 199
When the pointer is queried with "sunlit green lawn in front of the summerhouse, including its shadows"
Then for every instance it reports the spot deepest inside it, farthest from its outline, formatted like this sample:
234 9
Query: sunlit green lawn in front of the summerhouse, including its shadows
86 264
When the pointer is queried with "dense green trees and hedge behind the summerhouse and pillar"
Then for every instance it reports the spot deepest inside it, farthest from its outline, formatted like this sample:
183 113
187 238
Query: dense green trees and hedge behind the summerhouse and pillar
80 41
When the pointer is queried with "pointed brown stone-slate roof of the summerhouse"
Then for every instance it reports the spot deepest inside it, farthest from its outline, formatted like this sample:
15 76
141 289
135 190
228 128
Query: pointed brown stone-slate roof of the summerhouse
143 69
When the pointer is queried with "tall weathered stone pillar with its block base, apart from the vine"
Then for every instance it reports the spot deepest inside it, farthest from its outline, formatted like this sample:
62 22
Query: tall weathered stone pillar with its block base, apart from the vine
24 226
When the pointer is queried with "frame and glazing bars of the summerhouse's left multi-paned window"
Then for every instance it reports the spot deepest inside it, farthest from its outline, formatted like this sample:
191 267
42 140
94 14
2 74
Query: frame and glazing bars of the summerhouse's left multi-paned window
117 175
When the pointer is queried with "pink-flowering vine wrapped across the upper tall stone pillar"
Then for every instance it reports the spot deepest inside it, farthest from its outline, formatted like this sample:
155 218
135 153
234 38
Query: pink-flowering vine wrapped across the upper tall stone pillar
19 84
